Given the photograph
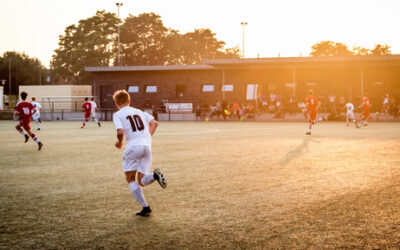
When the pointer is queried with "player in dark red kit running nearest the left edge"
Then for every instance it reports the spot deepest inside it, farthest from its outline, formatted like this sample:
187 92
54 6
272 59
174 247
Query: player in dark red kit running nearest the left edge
25 110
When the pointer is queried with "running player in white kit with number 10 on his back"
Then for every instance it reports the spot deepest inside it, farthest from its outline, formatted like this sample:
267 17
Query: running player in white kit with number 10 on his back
138 127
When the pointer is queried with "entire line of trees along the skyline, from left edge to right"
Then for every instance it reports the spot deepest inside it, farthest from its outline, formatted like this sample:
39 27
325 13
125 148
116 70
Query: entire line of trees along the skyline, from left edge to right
144 40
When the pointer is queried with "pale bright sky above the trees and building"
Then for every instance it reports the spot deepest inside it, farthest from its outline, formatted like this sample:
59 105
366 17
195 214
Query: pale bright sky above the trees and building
286 28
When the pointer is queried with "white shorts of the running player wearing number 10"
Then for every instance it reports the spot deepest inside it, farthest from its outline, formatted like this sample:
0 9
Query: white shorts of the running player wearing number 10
137 158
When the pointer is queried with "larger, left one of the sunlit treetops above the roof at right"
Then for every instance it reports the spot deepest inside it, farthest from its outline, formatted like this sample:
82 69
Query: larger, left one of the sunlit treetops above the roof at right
329 48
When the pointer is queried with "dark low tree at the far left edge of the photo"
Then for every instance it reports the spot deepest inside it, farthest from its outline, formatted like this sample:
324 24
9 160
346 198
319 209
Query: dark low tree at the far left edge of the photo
24 70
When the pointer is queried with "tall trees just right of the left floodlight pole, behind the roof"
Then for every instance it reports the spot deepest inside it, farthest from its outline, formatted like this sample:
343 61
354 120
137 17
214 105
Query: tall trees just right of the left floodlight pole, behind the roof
146 41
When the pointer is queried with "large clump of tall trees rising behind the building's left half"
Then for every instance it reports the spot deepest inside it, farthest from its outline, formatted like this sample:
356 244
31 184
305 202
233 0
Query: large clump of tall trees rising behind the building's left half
144 40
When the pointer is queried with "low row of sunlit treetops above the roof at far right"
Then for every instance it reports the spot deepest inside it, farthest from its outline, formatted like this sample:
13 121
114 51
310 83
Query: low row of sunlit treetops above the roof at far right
329 48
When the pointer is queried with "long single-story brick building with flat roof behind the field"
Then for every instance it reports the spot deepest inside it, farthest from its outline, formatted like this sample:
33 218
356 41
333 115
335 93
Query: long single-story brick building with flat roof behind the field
248 79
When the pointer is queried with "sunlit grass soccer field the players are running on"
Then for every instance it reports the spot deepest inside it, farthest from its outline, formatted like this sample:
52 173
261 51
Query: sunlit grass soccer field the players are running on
230 185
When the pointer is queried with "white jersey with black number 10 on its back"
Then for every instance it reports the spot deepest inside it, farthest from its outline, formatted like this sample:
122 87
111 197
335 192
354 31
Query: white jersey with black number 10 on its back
135 124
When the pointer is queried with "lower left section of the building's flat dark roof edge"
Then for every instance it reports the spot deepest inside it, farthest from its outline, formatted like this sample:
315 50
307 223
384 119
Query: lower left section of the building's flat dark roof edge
149 68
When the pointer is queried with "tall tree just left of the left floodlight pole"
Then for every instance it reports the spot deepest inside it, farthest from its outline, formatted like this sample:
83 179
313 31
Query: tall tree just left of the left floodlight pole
90 43
